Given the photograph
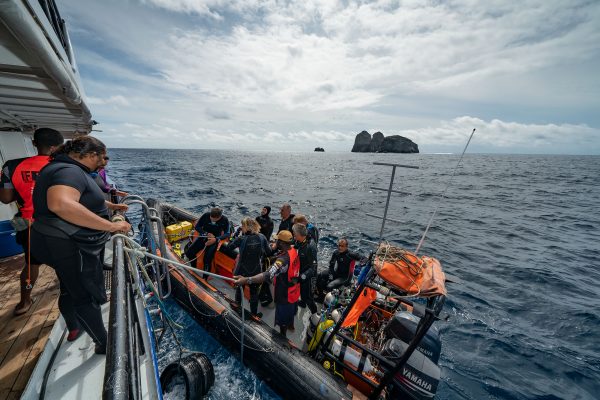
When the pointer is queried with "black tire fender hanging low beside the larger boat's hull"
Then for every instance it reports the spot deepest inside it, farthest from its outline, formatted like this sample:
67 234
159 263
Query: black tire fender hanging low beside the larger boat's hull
197 372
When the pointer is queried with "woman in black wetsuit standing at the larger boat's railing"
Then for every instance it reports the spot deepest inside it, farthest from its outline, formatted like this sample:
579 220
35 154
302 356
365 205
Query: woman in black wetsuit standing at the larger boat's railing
71 228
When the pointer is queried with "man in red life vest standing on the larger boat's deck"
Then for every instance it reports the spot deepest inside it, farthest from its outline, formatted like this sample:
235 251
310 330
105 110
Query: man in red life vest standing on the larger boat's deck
16 184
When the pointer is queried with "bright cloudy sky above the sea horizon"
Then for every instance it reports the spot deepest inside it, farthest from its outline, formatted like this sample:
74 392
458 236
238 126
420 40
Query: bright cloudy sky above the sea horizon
284 75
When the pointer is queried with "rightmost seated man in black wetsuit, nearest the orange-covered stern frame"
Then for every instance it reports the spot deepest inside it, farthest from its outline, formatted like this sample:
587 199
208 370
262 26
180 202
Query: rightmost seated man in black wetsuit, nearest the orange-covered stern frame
340 275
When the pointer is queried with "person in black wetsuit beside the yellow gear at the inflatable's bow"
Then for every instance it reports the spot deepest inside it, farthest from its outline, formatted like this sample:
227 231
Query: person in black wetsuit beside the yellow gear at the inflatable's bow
212 227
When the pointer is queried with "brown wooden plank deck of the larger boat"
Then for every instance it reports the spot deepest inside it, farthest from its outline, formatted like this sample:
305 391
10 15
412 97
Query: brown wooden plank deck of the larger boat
22 338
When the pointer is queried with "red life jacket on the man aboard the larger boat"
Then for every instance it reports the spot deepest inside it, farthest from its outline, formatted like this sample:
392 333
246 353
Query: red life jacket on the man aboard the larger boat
23 179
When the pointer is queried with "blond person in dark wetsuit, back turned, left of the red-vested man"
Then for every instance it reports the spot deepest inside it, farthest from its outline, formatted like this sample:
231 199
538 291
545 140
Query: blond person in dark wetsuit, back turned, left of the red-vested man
253 247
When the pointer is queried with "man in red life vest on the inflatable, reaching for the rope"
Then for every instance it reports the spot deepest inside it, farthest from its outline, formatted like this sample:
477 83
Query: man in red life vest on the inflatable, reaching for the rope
285 275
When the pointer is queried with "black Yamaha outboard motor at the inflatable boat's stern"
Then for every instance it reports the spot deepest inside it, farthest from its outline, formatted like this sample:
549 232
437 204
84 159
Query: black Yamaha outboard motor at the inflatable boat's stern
420 376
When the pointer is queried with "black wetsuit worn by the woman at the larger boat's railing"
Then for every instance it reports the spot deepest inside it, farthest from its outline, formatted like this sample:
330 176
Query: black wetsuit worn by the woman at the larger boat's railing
75 253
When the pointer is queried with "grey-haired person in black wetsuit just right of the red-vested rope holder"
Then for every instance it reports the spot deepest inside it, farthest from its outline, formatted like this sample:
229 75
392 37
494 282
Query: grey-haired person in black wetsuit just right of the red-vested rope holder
307 252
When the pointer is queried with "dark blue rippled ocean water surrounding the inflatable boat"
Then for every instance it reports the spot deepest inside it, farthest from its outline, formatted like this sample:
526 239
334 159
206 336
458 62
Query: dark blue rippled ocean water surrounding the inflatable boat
521 232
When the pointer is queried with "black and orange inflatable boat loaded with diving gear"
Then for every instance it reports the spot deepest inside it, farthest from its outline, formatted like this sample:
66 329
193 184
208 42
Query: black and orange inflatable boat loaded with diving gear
372 339
